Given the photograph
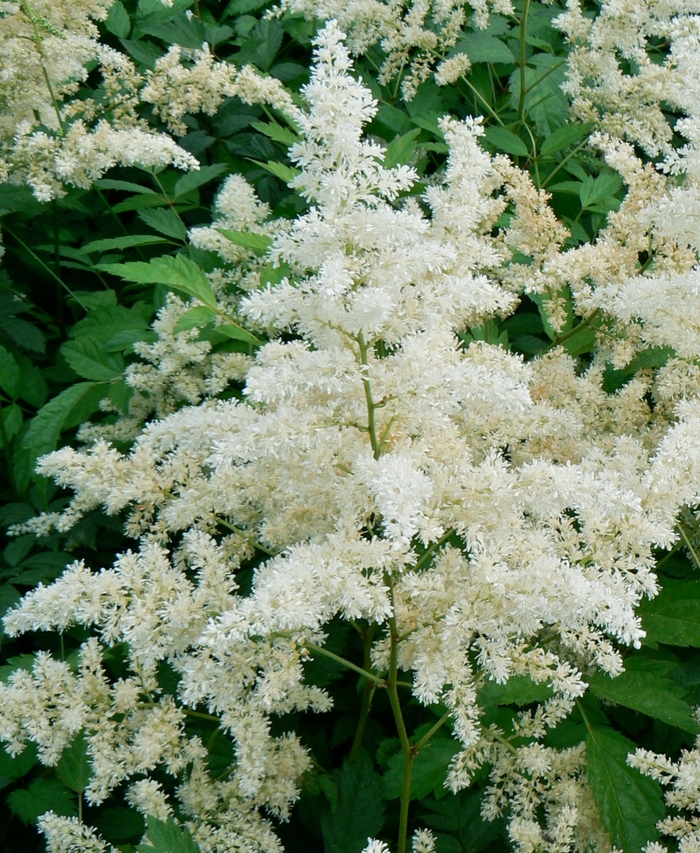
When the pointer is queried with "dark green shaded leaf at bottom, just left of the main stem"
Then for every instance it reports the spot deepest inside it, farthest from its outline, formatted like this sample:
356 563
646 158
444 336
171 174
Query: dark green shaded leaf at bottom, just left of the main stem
360 812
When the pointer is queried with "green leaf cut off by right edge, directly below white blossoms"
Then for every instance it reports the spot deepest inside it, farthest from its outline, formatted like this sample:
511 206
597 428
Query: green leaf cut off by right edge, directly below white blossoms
673 617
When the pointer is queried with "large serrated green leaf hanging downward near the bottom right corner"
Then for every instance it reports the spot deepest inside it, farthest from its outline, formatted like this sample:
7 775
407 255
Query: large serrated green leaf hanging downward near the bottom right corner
630 804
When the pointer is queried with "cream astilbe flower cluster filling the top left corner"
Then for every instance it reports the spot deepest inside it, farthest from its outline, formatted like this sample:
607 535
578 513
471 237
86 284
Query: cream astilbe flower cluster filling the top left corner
53 136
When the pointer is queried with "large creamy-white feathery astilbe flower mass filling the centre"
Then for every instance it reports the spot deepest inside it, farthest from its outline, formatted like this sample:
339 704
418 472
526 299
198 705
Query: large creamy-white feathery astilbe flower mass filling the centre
477 517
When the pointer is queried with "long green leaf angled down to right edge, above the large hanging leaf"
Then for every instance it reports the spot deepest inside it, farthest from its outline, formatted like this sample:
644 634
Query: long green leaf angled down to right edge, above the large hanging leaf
646 692
